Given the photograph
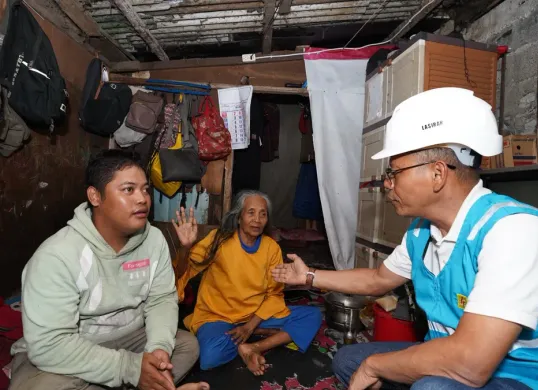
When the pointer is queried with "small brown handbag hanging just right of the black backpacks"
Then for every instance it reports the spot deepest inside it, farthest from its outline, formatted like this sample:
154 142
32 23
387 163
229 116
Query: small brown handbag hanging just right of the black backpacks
144 112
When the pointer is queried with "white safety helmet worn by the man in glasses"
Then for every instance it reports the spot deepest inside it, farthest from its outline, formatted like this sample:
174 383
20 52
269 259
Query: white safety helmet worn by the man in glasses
443 117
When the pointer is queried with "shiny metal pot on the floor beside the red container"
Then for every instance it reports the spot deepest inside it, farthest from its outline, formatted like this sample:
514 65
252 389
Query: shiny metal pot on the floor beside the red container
342 311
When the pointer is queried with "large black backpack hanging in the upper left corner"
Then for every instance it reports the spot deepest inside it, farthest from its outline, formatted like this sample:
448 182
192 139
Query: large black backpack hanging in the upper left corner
30 72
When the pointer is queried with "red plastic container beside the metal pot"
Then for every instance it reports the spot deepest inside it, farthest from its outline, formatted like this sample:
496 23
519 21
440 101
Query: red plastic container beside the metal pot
387 328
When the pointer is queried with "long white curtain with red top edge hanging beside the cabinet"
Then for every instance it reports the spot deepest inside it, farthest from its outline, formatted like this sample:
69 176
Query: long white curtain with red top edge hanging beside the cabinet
336 88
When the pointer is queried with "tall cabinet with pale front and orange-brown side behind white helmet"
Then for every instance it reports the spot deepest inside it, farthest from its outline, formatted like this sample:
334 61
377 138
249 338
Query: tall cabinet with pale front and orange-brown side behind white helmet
429 62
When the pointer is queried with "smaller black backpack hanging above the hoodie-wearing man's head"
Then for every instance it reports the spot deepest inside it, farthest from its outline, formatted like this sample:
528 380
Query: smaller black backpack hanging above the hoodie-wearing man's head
104 105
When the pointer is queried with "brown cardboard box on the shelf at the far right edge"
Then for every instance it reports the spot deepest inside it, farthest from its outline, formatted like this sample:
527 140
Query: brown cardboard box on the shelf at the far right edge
519 150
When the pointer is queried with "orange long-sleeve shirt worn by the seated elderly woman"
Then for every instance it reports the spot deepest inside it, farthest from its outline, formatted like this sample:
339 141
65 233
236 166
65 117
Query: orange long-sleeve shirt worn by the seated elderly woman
236 284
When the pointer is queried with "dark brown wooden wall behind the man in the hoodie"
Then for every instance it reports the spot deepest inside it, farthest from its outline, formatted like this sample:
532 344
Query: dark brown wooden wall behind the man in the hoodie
42 184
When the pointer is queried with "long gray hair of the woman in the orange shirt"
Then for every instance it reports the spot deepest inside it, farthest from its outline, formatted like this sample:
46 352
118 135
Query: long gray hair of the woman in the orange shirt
230 222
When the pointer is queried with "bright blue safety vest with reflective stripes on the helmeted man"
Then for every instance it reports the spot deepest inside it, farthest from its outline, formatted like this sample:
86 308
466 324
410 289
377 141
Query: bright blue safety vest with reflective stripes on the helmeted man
443 297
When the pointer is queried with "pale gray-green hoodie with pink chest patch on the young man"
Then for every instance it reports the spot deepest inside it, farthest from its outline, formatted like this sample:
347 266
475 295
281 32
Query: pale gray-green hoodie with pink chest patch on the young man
78 292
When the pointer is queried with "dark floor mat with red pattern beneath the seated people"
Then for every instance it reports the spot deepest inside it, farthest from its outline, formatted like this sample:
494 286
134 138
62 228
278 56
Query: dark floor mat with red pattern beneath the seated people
288 369
